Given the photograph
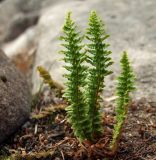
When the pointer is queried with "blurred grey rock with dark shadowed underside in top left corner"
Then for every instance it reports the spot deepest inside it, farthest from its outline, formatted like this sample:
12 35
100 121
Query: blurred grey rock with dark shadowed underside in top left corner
18 15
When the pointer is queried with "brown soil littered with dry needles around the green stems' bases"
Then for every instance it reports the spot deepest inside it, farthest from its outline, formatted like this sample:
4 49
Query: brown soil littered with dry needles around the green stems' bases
47 135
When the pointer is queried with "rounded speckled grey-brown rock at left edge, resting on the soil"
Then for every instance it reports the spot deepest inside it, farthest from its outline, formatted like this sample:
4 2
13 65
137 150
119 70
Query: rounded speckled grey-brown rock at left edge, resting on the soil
15 98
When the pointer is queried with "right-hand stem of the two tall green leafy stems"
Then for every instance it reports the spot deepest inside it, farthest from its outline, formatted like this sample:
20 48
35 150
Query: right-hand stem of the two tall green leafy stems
99 60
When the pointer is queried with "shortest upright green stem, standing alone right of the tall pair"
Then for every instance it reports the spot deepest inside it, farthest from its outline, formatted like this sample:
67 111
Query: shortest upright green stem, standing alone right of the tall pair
124 87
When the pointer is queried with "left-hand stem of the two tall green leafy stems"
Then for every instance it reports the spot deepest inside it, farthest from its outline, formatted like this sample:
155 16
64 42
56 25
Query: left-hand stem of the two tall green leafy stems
74 58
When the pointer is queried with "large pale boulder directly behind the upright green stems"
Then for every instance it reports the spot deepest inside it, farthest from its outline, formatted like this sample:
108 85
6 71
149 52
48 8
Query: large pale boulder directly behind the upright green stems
131 25
